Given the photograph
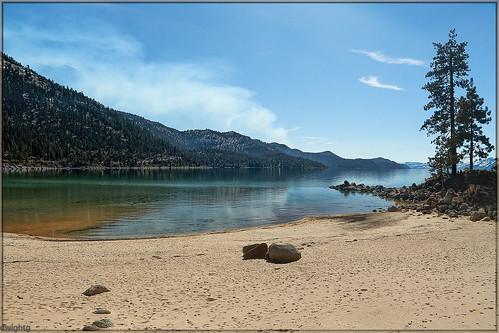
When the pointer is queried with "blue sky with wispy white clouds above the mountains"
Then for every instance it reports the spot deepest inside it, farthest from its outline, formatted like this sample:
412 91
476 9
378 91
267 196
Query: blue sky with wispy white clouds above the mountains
340 77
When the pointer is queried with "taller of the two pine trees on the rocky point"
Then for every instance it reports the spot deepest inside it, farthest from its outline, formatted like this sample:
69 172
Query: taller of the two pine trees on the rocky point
449 69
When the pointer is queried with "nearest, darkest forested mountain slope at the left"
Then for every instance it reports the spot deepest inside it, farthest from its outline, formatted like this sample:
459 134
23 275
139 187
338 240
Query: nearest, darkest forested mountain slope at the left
47 124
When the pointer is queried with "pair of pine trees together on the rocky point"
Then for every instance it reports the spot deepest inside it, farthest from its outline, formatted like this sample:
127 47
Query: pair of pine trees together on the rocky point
456 122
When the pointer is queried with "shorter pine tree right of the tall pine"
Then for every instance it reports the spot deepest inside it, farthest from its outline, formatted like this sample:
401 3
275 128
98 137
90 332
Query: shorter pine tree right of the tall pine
471 115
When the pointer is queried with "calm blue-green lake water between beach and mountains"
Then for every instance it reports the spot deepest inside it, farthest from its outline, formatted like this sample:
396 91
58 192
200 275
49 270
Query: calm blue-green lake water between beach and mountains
144 203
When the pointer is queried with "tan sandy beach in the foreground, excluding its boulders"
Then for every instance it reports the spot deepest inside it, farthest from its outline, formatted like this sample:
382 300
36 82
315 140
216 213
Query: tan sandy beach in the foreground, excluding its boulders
393 271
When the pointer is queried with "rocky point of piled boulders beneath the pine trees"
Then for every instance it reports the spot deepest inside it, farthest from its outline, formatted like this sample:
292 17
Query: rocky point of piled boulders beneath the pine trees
474 197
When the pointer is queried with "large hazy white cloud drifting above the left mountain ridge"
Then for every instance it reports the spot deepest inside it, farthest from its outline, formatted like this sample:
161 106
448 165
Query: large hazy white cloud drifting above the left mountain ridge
109 67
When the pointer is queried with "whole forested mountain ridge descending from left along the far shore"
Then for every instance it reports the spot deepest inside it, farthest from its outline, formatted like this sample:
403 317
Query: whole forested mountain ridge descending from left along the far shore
45 123
